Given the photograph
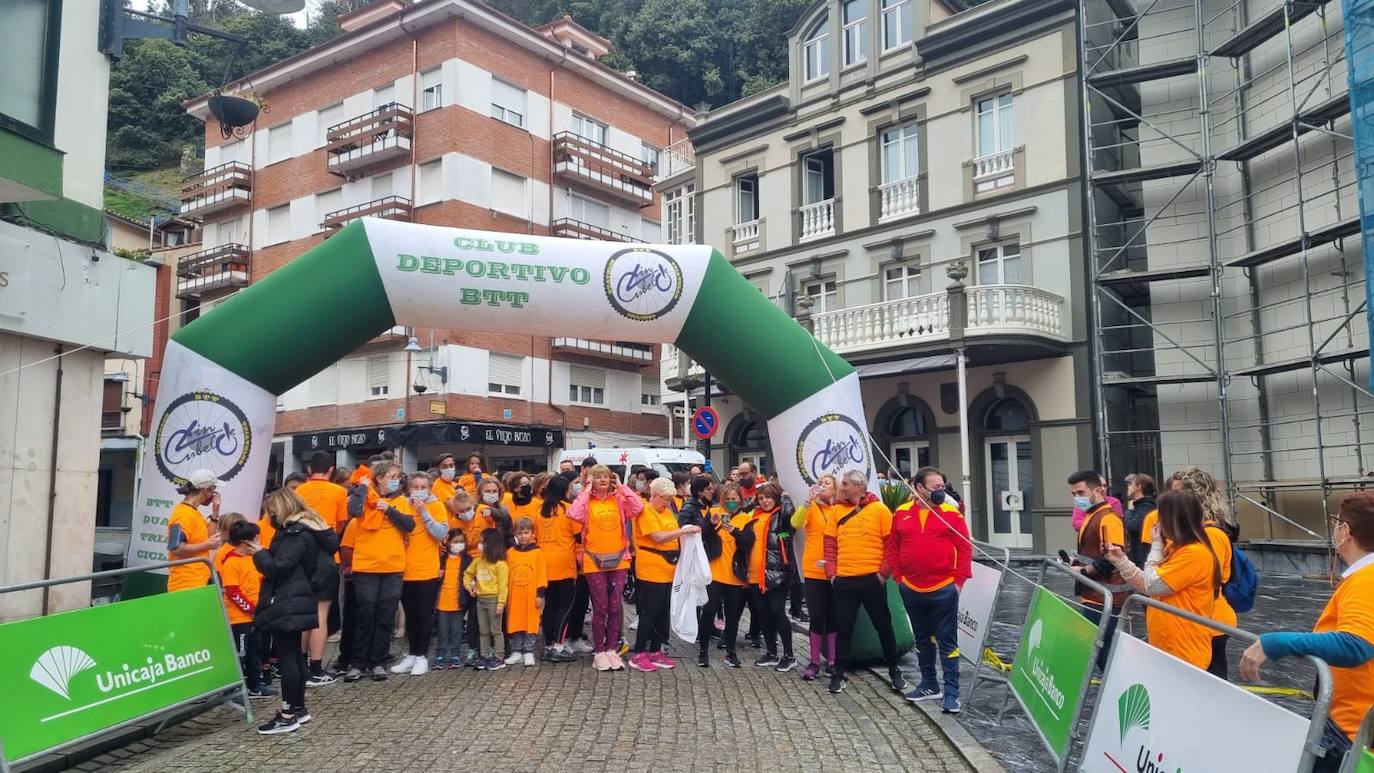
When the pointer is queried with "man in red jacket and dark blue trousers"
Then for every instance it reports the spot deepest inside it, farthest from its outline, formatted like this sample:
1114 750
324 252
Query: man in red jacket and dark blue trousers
931 557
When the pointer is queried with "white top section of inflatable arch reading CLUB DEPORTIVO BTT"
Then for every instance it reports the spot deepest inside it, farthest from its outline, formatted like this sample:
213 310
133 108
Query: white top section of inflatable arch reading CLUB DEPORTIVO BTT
440 278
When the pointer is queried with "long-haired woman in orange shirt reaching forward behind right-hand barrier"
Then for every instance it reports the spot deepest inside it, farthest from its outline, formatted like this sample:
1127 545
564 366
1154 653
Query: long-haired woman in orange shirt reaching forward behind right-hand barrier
1189 579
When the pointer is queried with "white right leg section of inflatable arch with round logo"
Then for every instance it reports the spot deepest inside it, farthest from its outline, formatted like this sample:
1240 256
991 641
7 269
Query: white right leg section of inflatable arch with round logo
822 435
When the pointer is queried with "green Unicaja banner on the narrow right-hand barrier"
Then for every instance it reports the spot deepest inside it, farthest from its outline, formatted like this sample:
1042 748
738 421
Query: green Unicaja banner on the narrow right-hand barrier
1052 667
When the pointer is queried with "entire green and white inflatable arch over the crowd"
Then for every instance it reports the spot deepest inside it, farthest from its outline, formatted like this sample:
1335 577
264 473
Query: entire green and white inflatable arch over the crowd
222 374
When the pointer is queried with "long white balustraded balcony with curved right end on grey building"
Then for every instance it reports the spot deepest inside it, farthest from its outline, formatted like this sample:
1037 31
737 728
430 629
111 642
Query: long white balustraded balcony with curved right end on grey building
995 310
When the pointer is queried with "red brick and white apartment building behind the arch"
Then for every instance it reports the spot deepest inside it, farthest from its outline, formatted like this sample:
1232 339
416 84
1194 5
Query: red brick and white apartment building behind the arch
449 113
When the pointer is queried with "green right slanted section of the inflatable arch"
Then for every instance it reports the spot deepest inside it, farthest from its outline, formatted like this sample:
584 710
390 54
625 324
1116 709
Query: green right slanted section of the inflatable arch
752 347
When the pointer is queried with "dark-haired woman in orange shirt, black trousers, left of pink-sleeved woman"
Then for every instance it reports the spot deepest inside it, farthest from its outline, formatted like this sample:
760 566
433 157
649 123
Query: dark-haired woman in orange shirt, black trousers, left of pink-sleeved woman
557 538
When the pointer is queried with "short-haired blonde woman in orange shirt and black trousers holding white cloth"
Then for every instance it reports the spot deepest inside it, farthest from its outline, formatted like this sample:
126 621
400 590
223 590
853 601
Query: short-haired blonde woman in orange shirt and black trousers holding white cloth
656 558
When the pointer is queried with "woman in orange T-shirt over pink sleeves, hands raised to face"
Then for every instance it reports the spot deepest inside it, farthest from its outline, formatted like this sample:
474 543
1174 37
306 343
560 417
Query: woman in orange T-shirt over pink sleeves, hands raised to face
602 513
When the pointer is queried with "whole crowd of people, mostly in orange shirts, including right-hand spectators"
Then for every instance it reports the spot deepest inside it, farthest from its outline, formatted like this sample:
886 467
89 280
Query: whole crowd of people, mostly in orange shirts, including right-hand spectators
508 569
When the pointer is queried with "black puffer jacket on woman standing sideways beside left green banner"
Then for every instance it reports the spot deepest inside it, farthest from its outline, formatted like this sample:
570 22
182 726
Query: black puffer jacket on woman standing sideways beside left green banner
286 602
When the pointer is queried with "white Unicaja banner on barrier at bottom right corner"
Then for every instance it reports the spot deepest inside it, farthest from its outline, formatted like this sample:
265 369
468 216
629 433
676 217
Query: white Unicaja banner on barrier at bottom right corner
1160 715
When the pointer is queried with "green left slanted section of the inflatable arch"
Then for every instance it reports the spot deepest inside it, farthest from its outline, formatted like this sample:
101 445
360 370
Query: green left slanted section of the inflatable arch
300 319
